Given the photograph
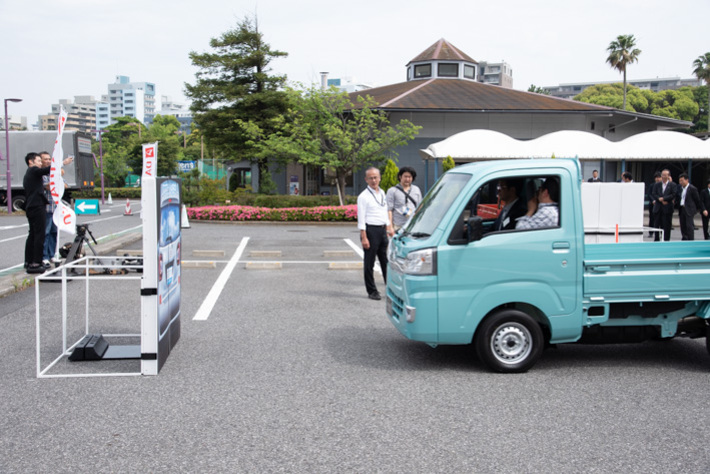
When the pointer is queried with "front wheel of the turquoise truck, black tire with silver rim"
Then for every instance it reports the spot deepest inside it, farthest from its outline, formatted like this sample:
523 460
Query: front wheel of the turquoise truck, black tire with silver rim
509 341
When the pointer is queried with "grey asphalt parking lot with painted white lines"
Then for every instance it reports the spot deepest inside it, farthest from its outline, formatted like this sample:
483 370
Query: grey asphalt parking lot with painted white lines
295 370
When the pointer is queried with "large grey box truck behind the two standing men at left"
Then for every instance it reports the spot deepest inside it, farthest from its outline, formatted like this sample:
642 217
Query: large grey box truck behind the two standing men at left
78 175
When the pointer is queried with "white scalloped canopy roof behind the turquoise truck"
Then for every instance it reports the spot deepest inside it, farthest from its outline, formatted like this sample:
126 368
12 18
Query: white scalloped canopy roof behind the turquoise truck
475 145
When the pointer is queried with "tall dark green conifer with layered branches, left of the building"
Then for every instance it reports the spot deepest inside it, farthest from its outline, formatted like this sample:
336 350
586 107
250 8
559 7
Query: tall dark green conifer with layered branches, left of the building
233 83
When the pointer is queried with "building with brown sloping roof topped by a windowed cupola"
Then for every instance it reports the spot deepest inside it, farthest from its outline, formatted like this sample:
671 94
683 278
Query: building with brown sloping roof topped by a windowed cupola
443 95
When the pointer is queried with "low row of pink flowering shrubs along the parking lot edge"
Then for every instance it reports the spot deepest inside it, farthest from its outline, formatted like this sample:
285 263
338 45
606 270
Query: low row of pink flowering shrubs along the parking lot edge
249 213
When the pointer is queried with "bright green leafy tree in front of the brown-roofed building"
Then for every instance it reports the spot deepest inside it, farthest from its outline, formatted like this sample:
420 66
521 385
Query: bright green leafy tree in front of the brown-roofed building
326 129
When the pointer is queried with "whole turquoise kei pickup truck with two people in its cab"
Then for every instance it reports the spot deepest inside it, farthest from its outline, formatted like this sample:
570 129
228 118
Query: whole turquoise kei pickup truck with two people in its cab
453 279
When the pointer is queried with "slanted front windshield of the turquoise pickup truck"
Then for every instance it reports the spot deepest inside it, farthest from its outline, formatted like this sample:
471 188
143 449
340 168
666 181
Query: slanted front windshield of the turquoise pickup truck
435 204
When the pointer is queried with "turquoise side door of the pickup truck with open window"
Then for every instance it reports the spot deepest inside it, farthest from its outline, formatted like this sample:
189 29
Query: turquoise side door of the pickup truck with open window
537 267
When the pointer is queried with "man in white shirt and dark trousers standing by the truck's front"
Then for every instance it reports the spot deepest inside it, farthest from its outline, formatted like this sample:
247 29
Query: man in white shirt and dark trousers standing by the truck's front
373 223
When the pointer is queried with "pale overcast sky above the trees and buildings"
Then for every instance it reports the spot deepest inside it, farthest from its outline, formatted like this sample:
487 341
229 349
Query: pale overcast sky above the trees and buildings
62 48
